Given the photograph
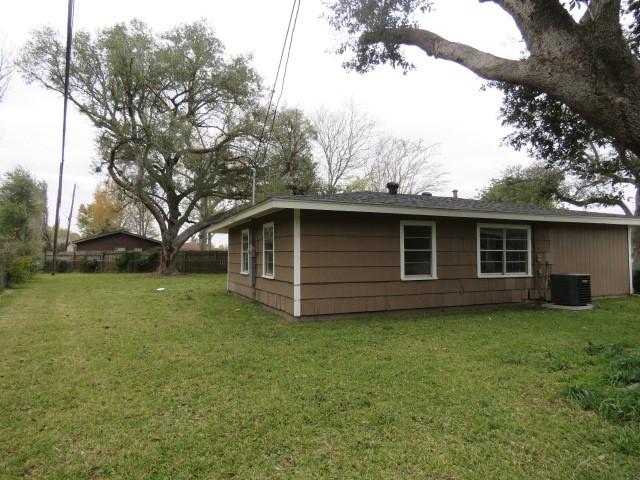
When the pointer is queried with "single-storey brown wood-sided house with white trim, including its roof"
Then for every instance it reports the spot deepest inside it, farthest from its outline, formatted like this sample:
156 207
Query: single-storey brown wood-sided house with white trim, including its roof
368 252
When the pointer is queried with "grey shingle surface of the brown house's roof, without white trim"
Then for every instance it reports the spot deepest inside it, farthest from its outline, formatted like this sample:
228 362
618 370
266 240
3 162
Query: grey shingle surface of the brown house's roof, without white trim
449 203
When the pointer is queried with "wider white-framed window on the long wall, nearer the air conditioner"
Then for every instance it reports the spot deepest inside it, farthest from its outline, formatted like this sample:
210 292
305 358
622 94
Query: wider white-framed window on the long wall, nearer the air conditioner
504 250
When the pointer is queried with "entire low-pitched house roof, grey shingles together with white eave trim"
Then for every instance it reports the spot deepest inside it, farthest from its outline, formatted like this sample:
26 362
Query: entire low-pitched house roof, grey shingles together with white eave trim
376 202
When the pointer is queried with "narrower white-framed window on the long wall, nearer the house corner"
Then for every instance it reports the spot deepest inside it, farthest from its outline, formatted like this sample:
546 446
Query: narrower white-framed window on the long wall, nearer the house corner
418 250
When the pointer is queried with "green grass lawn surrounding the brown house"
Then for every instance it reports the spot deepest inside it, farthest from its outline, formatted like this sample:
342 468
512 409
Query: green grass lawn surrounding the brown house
103 377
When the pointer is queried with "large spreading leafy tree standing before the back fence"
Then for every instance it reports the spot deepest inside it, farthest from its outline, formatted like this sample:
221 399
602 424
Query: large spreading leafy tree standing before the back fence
172 113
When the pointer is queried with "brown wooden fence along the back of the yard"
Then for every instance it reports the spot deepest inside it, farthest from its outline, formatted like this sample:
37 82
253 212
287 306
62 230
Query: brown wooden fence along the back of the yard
214 261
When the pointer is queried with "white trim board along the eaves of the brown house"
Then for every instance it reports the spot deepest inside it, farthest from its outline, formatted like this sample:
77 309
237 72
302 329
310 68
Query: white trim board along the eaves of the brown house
279 204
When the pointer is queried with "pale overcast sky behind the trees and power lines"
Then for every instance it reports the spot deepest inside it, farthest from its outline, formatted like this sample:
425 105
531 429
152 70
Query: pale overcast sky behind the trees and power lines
440 102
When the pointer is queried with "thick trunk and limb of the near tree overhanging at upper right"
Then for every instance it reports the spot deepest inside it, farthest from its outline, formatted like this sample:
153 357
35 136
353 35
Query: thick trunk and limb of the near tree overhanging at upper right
585 61
